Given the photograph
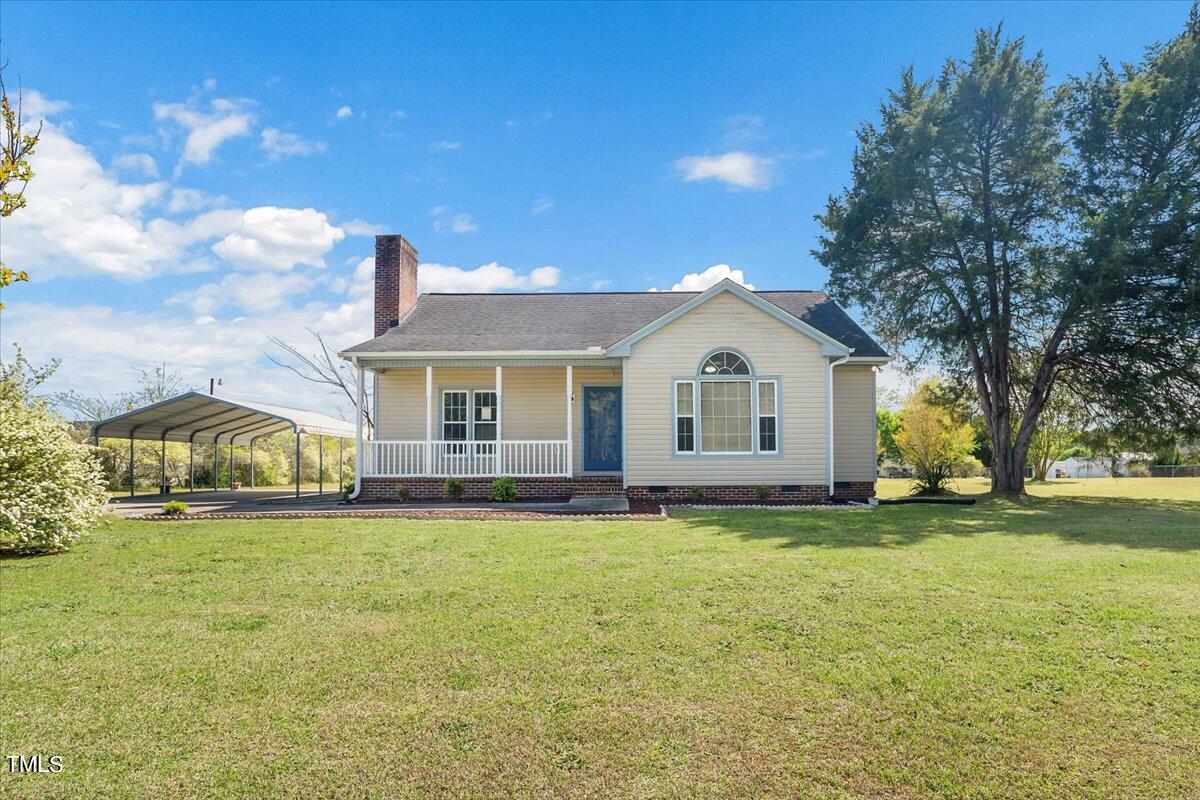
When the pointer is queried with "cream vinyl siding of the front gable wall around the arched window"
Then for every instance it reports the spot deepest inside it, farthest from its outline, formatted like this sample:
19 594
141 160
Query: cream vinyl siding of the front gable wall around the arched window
676 351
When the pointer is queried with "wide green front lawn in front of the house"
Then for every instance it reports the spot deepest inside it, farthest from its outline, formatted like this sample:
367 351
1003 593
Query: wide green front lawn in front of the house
1046 648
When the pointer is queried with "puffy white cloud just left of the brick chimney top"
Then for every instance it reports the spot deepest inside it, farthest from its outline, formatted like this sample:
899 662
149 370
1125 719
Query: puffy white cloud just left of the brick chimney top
271 238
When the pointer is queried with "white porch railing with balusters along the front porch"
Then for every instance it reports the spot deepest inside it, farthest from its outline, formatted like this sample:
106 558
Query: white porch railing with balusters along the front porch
419 459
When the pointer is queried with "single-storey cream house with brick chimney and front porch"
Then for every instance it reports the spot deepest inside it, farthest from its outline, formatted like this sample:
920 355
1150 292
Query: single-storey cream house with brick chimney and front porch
652 395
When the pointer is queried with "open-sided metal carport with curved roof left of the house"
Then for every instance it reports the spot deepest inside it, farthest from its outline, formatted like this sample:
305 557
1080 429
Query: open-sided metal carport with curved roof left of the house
195 417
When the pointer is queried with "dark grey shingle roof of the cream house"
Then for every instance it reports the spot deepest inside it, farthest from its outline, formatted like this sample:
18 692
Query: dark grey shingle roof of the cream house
577 321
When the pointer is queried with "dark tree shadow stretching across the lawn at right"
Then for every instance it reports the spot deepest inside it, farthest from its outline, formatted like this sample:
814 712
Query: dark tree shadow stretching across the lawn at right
1160 525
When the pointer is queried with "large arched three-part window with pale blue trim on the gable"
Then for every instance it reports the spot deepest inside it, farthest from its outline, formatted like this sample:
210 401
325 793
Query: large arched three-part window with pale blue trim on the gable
727 410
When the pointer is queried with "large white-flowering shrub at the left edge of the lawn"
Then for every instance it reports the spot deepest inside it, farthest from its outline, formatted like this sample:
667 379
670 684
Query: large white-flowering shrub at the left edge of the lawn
52 489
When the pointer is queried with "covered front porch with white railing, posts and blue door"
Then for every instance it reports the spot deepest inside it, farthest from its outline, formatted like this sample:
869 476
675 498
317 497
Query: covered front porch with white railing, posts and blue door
439 420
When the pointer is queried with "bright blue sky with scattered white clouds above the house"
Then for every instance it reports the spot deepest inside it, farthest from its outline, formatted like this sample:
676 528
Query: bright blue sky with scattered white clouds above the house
213 173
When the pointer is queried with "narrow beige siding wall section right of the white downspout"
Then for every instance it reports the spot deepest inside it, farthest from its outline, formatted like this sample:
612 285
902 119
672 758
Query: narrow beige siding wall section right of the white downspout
854 424
